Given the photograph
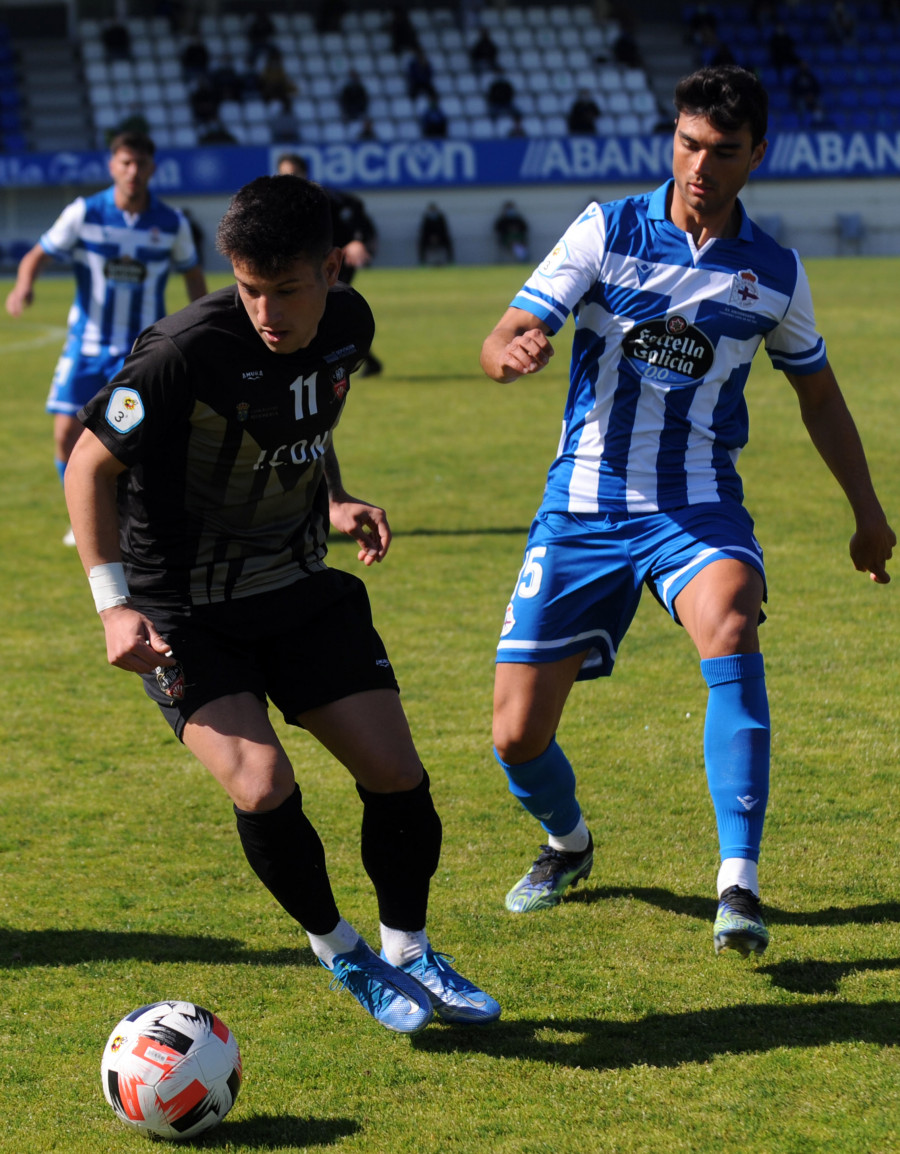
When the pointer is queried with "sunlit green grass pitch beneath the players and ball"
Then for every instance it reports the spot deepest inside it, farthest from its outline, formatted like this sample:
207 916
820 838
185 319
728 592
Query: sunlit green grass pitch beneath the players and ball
124 883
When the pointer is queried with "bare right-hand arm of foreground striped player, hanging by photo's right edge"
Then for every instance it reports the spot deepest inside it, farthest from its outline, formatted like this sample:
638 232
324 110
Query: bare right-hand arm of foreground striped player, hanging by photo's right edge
832 431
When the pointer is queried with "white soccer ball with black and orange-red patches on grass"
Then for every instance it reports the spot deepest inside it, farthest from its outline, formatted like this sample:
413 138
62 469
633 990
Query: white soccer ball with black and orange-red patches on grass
171 1070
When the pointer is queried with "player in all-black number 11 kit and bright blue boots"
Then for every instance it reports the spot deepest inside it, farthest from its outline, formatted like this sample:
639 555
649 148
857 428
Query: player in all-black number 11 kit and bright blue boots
201 496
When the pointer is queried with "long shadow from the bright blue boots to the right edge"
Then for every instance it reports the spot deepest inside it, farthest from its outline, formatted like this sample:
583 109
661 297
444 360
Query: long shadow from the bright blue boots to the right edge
670 1040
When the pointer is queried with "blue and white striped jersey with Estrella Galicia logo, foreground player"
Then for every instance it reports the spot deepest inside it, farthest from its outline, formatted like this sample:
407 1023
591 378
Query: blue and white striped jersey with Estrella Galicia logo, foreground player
665 334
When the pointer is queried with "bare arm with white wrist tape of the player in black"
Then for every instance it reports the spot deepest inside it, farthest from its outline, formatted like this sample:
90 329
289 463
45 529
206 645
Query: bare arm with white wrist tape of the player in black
132 642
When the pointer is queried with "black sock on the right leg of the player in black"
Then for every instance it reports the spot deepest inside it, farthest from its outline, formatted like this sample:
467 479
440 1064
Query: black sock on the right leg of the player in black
401 849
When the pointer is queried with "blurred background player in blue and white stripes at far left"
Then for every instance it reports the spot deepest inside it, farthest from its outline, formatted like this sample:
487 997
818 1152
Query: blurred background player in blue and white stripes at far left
124 243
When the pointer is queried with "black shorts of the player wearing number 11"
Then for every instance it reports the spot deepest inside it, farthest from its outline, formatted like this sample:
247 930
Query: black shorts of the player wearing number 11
303 647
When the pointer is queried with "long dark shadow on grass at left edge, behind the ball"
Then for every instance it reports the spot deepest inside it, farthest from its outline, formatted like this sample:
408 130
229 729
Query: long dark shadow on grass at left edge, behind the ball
71 948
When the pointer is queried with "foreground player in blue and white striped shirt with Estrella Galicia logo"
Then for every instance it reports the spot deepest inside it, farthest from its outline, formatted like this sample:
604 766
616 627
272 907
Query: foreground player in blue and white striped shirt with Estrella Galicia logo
673 294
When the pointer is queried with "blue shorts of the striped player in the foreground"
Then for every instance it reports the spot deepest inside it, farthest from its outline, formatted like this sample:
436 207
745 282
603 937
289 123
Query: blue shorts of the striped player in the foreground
583 575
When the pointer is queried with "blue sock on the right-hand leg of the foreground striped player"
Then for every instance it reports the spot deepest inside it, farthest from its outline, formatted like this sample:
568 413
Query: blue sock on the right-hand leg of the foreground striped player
737 744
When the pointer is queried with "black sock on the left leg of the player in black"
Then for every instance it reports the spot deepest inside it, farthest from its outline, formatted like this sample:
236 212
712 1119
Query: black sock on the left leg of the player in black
287 855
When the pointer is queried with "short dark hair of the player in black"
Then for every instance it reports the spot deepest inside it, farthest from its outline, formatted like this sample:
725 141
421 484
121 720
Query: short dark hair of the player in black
274 222
